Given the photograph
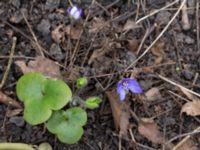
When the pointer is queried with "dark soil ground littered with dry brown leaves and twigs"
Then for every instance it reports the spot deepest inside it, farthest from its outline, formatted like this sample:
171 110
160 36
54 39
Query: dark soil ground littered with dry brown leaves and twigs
155 42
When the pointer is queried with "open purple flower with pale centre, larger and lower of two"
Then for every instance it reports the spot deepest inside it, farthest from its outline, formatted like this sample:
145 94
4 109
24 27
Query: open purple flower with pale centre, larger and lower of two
126 85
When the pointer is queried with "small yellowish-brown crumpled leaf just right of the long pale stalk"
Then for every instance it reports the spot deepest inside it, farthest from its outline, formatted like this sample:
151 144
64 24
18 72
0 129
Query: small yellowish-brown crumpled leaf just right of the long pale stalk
157 50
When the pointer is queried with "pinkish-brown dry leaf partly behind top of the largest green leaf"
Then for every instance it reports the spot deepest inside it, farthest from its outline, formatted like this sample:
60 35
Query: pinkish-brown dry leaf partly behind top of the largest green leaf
42 65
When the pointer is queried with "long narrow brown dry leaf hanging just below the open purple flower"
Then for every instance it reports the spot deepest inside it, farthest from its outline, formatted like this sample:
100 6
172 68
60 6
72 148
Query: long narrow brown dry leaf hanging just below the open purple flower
120 112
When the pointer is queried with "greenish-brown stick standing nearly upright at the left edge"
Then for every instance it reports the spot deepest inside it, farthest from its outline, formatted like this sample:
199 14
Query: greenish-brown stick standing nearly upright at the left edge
9 62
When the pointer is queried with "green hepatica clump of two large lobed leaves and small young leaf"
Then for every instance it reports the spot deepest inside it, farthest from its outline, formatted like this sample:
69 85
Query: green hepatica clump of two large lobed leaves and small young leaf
44 98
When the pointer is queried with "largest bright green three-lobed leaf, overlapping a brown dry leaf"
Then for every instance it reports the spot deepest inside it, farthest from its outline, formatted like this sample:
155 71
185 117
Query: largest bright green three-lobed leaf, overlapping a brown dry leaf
41 95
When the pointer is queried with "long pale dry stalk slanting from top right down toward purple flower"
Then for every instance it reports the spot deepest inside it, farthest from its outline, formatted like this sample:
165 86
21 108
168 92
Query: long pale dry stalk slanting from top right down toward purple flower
159 36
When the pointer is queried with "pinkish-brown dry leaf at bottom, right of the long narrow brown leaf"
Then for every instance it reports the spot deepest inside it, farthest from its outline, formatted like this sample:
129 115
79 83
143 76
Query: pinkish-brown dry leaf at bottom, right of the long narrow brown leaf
149 129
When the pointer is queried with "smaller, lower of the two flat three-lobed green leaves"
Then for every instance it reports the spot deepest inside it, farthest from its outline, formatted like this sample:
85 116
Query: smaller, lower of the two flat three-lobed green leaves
67 125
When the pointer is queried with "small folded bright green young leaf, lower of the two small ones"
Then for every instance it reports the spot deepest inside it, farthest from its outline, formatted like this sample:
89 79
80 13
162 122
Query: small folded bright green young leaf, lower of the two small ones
92 102
